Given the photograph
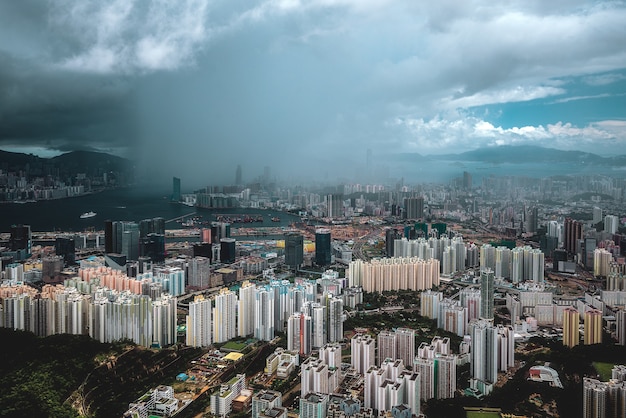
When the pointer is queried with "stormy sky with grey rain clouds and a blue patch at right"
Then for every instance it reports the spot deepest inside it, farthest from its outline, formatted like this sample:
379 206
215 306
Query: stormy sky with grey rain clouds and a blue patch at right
193 88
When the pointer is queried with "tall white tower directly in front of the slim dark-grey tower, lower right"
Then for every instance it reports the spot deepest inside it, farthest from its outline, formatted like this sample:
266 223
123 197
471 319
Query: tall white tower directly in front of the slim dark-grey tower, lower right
483 356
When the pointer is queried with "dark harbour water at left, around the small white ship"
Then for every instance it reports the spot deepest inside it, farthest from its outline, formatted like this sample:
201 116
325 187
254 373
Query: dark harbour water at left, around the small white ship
126 204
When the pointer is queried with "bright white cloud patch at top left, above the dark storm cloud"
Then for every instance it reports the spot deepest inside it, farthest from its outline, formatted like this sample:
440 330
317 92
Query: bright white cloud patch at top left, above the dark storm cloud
125 36
